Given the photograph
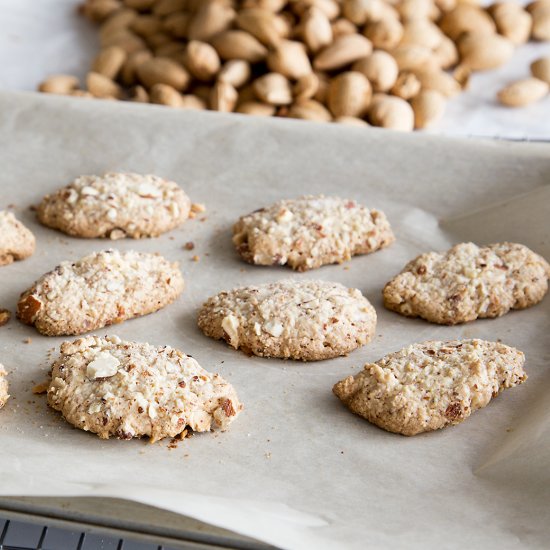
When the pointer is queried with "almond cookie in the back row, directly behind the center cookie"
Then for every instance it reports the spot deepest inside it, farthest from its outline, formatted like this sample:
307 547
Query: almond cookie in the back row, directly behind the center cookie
309 232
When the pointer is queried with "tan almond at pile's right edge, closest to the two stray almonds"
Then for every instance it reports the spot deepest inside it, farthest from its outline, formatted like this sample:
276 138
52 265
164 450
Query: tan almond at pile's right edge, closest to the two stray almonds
481 52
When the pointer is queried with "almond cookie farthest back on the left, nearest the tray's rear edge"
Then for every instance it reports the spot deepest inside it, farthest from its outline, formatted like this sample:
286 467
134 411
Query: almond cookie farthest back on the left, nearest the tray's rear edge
116 205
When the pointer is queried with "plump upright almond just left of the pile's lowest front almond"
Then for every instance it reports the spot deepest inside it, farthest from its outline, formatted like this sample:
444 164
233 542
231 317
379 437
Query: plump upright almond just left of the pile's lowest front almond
349 94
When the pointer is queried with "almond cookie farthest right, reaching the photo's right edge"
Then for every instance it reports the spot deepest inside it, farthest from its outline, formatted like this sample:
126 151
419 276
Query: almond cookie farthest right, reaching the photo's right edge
468 282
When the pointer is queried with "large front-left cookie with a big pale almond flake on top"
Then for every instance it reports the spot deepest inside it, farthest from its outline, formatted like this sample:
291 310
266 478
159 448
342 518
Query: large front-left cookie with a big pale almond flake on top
128 389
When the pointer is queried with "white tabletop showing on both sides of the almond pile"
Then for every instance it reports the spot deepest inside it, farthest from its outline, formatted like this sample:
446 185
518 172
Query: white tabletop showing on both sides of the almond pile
41 37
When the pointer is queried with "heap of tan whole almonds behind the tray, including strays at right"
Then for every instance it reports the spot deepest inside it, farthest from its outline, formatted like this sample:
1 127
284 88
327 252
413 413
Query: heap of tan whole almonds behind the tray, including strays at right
390 63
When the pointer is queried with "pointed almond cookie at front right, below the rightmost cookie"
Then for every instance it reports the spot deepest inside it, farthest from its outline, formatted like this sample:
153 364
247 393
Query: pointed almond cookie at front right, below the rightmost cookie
431 385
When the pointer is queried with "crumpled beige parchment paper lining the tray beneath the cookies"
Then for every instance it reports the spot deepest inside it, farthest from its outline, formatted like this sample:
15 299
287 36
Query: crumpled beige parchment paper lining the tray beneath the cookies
296 469
